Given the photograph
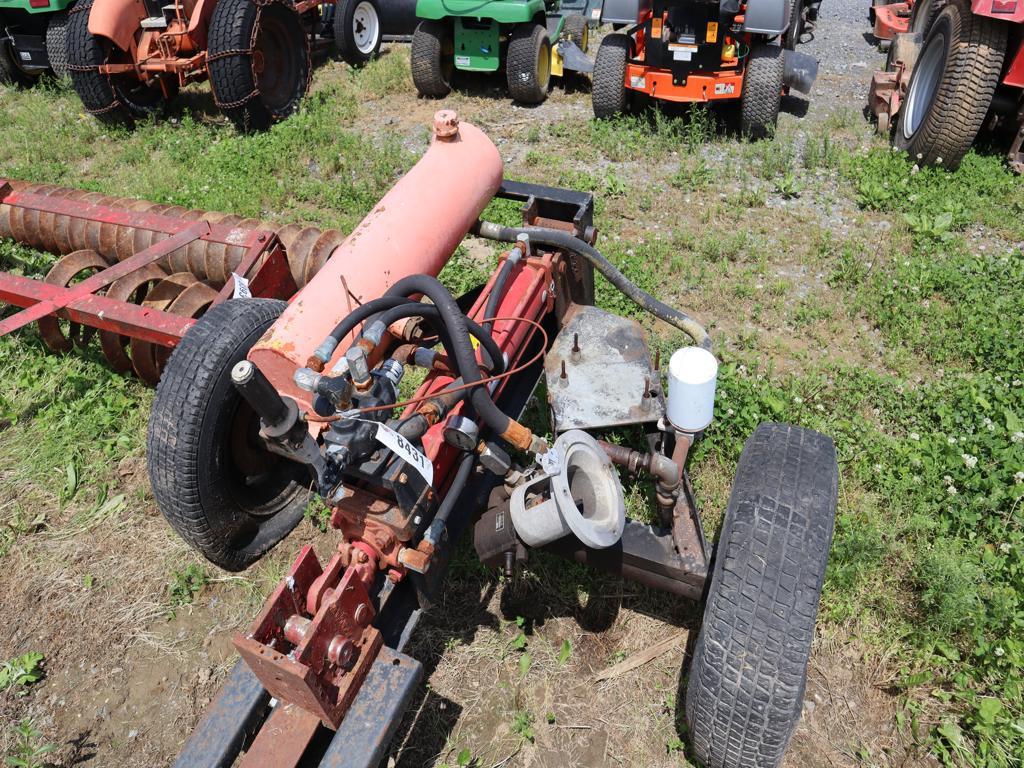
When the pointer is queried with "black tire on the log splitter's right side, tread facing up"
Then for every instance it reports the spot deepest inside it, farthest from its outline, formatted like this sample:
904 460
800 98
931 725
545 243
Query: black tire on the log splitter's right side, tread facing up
747 680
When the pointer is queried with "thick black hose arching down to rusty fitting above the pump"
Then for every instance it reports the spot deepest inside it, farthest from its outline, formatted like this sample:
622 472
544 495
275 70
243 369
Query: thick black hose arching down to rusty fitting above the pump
462 350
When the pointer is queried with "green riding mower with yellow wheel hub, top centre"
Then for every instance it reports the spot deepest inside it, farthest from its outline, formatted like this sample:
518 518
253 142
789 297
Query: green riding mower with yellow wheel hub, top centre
533 40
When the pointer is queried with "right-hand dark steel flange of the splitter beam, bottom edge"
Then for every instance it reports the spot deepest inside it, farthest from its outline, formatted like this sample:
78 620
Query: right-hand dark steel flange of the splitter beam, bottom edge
363 740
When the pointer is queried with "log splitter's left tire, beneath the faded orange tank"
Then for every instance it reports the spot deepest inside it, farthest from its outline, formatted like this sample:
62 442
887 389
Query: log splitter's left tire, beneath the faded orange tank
201 430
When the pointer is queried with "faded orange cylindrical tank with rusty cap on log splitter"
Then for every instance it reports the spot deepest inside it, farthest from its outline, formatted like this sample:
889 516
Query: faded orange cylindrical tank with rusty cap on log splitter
414 230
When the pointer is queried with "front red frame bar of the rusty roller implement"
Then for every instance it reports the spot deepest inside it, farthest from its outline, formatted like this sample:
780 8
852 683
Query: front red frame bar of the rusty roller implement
99 312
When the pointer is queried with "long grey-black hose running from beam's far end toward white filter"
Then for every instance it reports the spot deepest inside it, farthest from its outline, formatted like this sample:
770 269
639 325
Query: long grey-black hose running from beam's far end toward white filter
564 240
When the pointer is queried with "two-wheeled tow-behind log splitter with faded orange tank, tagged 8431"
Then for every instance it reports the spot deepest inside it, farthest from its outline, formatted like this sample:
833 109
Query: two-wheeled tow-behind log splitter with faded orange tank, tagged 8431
264 402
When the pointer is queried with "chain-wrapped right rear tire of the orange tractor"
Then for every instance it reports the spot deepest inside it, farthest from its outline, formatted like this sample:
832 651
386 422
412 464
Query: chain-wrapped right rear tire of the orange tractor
280 49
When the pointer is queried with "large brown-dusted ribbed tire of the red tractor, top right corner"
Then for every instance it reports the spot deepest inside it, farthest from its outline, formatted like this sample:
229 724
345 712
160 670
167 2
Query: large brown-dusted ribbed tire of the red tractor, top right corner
973 50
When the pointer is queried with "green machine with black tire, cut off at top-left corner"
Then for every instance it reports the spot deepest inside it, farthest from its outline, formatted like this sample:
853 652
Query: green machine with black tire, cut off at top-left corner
33 39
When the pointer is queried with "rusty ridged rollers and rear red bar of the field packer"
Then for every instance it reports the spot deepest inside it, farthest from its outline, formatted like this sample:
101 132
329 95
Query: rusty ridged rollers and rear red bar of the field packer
94 232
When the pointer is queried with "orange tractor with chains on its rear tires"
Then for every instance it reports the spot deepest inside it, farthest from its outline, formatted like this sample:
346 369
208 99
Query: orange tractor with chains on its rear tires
130 58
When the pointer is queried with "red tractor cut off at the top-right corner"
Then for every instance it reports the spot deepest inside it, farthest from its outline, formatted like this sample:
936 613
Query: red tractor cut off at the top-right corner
958 68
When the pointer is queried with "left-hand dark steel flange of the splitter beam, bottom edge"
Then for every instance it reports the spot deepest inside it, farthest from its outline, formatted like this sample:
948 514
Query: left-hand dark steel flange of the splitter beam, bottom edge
236 713
